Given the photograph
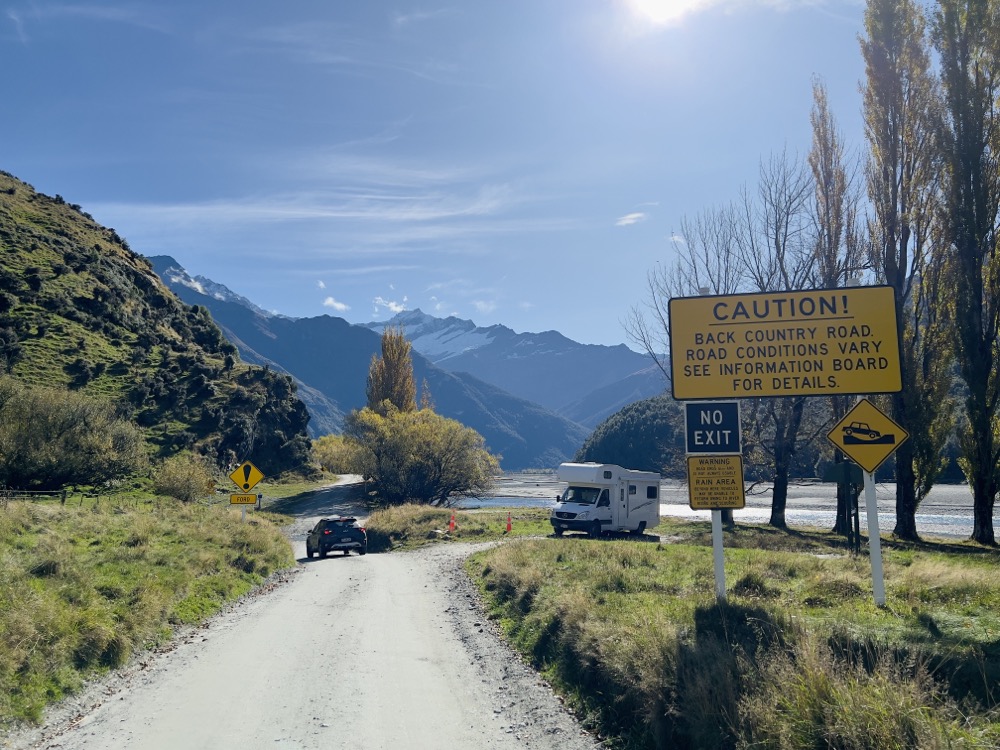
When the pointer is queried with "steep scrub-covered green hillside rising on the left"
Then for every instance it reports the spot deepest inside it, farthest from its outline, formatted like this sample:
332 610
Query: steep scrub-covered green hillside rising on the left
79 309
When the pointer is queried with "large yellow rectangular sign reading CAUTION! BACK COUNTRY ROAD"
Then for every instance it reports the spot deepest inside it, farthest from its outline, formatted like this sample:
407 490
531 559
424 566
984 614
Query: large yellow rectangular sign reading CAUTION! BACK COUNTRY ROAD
821 342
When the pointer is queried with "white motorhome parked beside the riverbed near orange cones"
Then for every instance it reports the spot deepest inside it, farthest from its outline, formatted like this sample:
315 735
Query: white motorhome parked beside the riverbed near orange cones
606 497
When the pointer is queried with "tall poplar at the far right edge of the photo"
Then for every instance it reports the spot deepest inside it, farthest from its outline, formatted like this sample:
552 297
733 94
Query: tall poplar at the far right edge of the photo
965 36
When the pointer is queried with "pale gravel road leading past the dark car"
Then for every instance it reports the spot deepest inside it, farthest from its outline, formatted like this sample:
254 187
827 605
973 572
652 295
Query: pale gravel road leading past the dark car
369 653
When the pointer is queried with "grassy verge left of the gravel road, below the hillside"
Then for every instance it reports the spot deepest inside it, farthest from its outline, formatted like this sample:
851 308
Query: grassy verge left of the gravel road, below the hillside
83 588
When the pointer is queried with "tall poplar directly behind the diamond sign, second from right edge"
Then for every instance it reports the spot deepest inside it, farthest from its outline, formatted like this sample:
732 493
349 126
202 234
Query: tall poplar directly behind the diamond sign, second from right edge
900 110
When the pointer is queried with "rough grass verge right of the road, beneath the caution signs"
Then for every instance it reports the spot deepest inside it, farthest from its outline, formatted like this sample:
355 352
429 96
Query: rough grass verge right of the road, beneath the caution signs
798 657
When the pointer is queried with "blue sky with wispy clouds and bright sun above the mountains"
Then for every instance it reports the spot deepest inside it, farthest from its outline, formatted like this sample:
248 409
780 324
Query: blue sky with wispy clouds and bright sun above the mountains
522 162
